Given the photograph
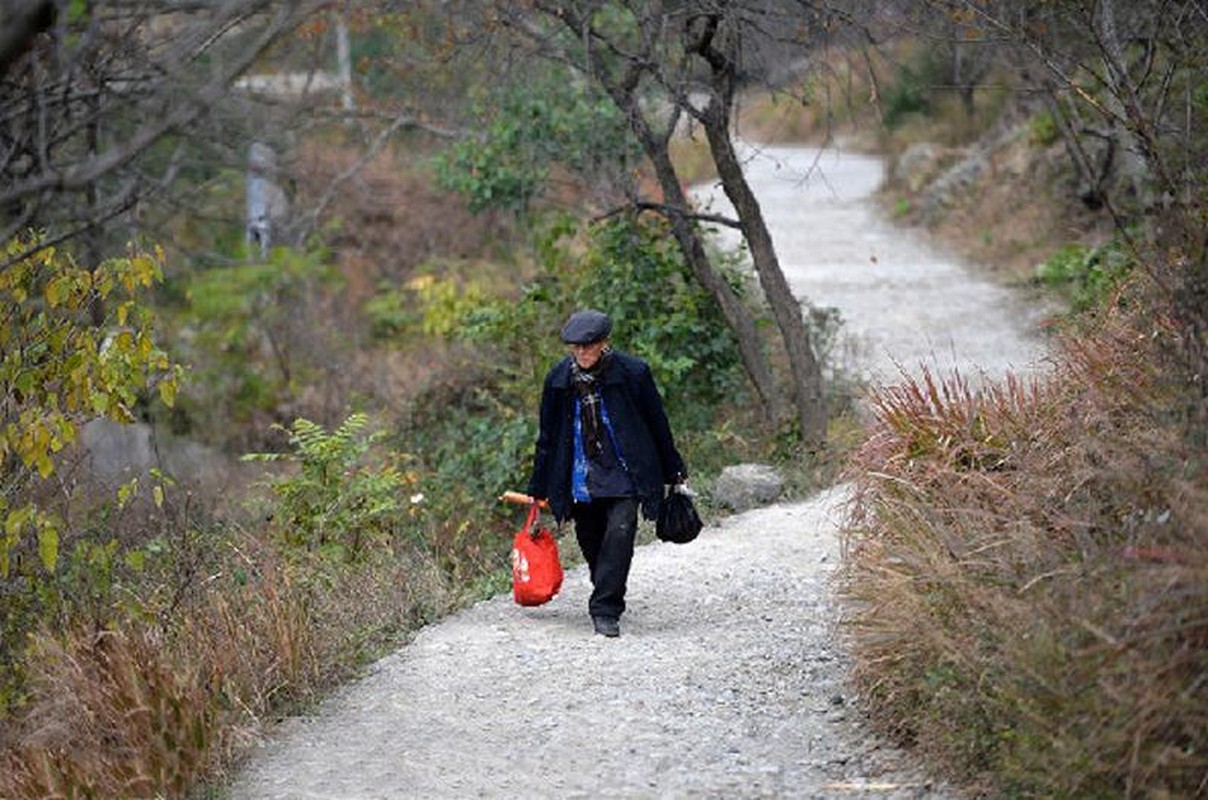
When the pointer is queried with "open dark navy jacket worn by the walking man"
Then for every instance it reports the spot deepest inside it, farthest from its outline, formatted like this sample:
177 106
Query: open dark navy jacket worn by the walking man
638 420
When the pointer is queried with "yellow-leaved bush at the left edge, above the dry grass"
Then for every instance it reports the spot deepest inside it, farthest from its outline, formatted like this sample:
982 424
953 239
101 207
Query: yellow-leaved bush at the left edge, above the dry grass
63 367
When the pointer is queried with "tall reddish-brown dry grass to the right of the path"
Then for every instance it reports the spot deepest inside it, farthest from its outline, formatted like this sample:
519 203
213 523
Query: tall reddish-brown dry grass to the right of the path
1029 576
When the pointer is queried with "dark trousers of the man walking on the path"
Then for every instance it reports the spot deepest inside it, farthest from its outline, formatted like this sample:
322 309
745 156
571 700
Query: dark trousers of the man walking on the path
606 530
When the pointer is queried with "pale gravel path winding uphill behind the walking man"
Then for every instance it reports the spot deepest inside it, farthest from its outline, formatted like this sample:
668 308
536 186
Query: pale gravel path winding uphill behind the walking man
729 680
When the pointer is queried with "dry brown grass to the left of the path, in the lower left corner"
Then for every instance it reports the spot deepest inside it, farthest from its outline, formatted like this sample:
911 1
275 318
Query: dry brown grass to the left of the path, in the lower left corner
160 708
